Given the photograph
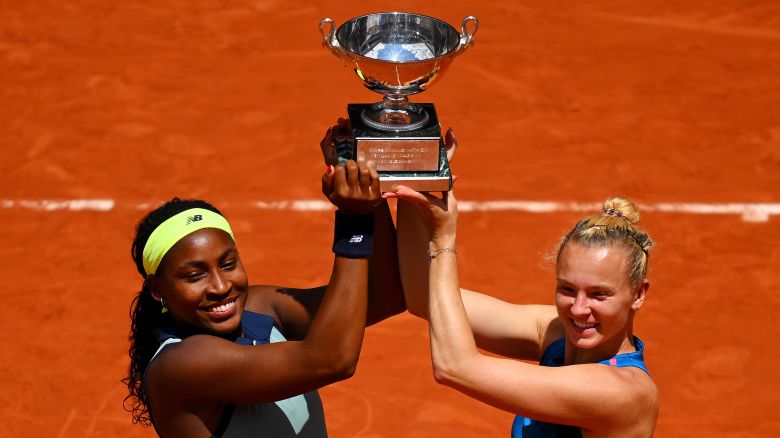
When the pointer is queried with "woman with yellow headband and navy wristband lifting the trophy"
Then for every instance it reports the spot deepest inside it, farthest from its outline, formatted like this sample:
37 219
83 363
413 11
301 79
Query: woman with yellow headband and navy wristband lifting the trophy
213 356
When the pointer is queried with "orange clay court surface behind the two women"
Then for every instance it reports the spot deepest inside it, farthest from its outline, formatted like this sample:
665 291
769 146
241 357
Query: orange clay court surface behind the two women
112 107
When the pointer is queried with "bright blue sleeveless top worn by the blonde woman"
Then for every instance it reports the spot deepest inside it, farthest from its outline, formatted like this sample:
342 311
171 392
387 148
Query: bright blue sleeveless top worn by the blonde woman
554 356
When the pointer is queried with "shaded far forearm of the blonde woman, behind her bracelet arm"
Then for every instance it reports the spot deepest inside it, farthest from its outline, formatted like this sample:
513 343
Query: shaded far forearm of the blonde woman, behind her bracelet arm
412 246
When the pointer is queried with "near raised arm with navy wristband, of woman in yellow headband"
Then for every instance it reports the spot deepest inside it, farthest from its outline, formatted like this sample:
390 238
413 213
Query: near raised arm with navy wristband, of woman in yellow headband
210 369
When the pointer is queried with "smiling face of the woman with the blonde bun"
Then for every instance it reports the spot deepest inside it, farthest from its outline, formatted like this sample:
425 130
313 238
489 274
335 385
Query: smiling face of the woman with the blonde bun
594 296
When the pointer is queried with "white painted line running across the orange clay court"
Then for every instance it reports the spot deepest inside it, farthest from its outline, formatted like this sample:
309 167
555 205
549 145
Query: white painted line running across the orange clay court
749 212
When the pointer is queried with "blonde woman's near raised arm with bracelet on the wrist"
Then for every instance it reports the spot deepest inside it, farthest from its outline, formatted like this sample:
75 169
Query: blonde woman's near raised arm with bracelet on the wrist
589 396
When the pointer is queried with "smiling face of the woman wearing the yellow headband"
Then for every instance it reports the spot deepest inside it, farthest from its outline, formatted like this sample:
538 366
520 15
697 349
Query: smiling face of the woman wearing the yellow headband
203 282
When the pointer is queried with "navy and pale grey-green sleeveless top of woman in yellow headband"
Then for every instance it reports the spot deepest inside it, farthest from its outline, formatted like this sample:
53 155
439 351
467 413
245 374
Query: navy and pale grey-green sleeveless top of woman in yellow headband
300 416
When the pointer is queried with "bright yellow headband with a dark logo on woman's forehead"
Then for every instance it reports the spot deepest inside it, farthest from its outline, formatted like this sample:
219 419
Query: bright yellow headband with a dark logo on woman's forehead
174 229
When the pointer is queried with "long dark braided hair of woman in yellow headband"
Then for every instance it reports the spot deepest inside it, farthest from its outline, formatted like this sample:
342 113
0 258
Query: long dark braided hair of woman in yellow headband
145 311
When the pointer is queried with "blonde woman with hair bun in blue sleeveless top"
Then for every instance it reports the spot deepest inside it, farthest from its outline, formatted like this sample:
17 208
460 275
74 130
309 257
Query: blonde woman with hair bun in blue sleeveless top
593 381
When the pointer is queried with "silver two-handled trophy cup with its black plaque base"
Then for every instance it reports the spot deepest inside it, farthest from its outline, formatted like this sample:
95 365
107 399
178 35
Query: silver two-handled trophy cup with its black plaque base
398 54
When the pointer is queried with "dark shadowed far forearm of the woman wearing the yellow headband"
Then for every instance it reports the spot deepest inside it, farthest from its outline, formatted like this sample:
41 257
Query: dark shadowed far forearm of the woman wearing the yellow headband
385 294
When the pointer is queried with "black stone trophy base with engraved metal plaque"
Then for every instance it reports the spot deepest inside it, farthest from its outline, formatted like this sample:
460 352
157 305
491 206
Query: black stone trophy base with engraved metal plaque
413 158
